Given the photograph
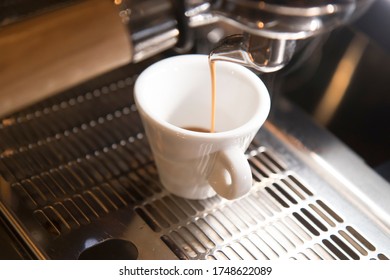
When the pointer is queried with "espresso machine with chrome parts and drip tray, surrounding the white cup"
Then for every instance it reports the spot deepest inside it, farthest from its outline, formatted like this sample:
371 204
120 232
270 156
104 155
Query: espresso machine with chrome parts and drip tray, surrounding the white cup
78 179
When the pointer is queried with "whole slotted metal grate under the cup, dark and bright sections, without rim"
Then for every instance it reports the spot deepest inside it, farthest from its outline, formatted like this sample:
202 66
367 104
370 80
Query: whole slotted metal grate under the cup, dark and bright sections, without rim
79 160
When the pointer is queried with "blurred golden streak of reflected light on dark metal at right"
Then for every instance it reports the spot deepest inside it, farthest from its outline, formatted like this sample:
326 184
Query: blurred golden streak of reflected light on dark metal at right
340 80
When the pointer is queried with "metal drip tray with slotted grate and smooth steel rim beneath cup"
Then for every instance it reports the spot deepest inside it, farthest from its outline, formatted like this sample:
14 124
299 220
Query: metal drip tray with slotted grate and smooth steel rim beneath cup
78 181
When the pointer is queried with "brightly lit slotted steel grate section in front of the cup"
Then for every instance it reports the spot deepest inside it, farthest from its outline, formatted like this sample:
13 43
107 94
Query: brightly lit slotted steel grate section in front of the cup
257 226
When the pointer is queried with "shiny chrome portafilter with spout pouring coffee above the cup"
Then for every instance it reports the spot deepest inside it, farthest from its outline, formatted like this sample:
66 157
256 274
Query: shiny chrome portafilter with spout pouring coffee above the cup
277 24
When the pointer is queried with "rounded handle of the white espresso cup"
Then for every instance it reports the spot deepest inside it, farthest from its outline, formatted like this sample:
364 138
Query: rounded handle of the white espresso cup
231 175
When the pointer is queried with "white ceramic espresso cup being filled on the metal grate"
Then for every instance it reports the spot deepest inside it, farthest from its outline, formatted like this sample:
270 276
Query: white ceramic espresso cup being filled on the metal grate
175 93
